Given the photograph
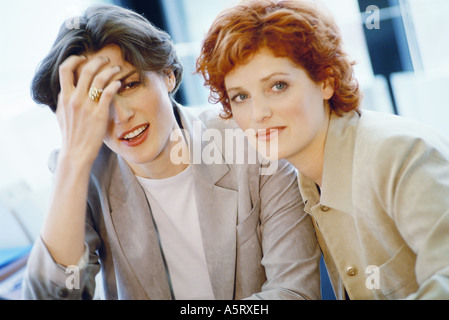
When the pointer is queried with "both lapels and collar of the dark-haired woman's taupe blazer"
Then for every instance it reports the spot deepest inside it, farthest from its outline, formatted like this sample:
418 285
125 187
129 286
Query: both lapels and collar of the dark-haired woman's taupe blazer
133 224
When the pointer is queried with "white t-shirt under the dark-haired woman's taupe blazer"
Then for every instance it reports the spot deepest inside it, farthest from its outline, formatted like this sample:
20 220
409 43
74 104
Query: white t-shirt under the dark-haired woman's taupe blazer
173 205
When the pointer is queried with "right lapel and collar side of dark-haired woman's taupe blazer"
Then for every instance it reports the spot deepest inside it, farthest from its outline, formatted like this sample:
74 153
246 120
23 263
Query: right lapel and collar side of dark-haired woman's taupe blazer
217 203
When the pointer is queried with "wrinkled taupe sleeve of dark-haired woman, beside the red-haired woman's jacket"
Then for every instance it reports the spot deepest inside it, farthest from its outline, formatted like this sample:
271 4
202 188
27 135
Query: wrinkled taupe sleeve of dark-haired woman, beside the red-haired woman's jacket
290 250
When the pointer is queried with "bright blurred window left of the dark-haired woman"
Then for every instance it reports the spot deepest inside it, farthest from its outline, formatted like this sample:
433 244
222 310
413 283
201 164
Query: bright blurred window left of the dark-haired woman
28 133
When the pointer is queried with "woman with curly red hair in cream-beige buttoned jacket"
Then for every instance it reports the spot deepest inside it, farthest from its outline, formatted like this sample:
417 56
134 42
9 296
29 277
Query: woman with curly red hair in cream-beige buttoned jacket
376 185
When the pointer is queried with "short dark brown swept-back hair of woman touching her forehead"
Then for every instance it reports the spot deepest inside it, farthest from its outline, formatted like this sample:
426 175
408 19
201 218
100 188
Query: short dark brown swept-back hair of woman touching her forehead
142 45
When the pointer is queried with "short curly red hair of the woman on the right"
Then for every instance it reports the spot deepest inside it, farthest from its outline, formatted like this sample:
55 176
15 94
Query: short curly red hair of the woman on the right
300 30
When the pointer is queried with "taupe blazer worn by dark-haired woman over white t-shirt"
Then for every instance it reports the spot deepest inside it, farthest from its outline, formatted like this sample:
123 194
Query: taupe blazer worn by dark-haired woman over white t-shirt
258 241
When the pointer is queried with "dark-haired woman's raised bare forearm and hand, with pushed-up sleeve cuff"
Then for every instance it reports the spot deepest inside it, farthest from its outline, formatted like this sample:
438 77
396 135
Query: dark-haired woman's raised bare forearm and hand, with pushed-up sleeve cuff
83 125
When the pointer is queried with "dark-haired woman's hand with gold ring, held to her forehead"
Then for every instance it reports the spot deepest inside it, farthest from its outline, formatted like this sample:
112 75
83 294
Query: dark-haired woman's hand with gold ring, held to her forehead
87 90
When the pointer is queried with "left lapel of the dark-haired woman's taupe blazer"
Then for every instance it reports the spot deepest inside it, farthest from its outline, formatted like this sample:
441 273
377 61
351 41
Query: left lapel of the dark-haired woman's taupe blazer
136 233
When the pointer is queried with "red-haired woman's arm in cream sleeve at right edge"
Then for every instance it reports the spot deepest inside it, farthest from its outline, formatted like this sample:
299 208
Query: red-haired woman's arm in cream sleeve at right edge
420 208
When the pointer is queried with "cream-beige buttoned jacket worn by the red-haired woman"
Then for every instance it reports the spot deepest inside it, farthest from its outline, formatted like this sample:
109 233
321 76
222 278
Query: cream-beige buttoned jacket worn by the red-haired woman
382 218
